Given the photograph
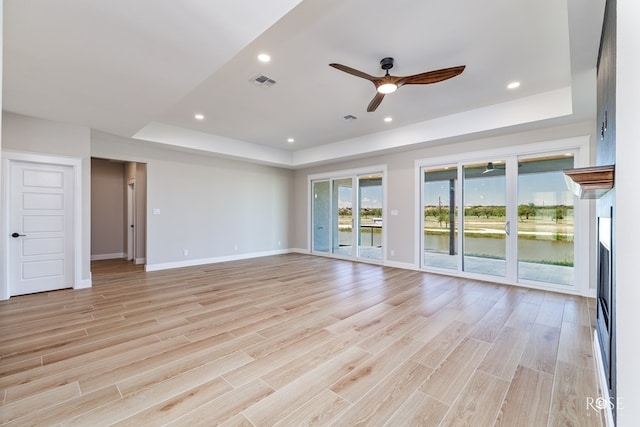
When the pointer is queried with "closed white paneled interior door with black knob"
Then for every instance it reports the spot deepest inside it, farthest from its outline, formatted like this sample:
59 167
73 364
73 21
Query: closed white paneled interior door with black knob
41 227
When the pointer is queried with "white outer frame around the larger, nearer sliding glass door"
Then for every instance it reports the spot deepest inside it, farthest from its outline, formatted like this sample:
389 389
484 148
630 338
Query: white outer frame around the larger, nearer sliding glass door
579 145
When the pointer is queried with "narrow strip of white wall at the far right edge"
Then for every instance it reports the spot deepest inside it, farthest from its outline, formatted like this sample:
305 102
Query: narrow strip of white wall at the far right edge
627 234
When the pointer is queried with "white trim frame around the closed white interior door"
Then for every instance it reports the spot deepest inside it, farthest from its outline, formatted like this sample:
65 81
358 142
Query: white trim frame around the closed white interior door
9 156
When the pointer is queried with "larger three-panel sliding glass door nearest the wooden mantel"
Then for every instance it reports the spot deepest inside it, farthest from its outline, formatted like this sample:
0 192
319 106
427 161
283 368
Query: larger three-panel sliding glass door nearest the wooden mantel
509 218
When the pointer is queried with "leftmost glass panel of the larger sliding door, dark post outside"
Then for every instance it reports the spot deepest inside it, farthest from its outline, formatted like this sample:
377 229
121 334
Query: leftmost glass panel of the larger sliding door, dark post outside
440 220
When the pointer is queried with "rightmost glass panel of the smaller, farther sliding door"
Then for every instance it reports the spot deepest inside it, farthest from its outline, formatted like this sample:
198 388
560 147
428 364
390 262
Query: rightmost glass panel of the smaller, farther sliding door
370 217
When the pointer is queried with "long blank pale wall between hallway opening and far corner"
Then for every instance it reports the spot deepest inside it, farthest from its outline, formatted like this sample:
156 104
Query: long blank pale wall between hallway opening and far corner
215 209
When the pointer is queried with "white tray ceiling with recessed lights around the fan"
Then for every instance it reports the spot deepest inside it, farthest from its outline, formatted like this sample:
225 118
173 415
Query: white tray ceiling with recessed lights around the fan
143 68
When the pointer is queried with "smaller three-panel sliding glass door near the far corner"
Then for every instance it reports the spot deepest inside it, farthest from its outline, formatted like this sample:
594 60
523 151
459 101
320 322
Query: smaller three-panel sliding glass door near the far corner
347 216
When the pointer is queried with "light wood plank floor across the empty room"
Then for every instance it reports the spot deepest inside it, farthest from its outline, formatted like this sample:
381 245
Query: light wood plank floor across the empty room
295 340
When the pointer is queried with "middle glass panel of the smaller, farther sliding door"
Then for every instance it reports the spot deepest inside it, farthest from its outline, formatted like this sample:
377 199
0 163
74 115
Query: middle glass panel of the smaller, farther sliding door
343 217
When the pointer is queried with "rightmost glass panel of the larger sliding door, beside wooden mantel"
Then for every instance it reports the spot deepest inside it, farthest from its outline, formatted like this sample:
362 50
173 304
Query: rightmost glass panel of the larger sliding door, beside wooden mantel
545 220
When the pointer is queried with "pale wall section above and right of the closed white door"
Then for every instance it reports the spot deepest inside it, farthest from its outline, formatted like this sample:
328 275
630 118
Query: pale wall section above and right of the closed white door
29 134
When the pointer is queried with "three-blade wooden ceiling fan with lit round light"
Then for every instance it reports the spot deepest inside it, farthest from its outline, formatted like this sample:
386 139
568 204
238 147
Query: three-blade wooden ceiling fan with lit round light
388 84
